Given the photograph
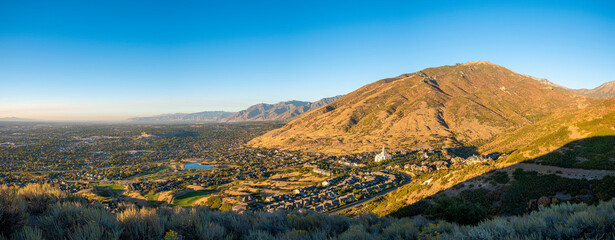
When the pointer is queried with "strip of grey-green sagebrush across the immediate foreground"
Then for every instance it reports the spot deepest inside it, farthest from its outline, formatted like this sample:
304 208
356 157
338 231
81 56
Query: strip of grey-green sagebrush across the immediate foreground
66 216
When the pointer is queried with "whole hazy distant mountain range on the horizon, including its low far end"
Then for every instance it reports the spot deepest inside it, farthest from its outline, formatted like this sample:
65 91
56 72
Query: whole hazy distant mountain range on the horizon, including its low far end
282 111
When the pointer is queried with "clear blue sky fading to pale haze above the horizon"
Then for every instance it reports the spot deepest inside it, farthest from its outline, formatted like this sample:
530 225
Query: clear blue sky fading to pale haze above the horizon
109 60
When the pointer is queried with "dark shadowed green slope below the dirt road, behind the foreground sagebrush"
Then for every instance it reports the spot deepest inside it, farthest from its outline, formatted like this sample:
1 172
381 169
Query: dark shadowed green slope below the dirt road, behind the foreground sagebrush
511 197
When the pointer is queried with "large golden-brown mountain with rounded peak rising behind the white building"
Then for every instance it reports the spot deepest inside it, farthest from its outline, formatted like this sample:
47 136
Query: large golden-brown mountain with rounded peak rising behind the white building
437 107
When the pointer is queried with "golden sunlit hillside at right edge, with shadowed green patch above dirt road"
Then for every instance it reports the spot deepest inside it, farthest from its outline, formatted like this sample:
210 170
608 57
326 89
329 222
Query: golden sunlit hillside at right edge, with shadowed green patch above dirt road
582 139
